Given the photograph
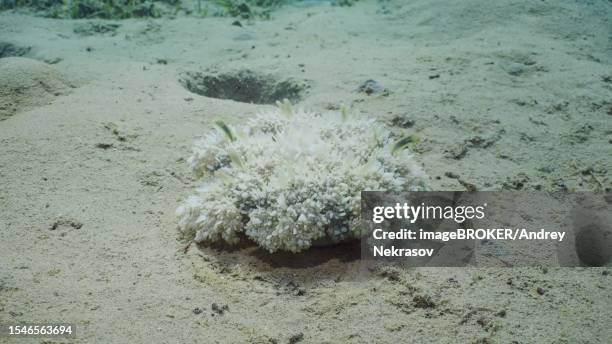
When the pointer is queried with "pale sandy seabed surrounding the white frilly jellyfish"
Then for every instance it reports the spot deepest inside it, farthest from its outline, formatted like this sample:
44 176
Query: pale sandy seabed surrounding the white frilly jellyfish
503 94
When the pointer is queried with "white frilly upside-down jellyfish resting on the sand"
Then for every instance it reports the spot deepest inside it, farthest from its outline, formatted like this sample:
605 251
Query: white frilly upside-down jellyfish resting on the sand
289 178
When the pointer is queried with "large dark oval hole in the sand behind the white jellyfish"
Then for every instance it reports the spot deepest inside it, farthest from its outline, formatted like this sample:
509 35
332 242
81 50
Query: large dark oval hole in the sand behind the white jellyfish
244 86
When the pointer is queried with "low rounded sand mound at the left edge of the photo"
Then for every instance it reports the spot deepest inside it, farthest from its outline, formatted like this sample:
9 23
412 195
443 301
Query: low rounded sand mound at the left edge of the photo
26 83
